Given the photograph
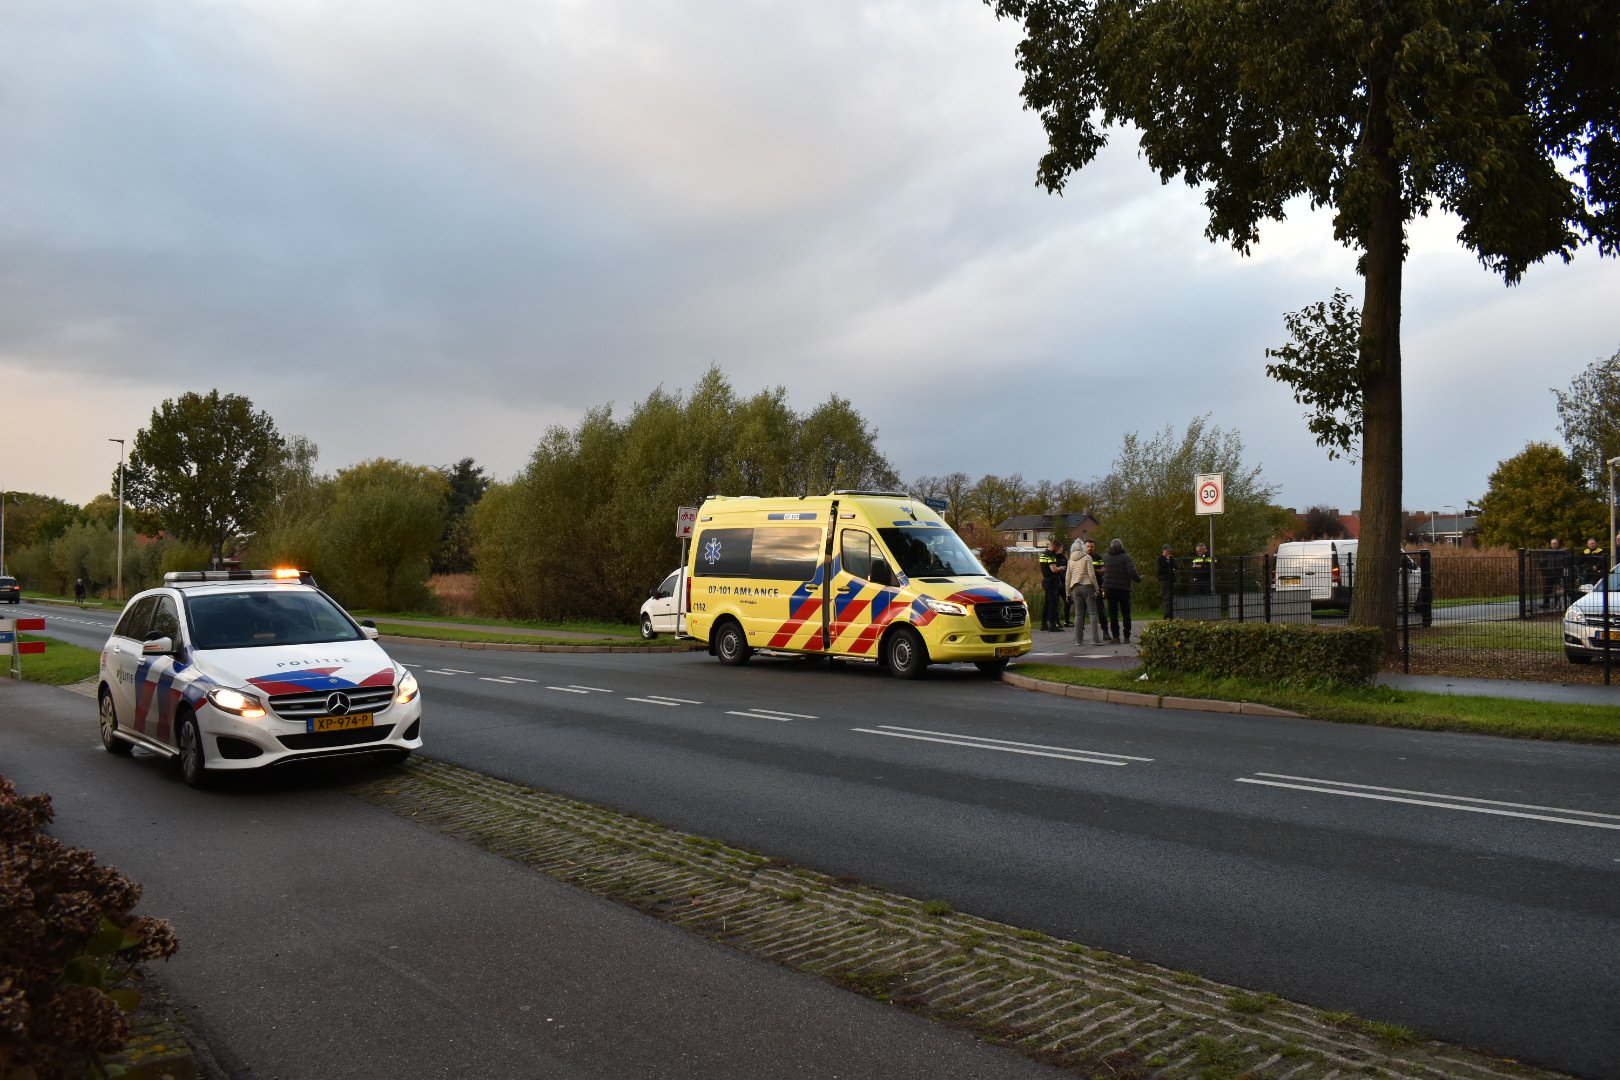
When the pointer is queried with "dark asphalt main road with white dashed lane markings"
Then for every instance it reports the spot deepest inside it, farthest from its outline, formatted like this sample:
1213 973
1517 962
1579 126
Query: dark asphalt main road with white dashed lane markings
1462 887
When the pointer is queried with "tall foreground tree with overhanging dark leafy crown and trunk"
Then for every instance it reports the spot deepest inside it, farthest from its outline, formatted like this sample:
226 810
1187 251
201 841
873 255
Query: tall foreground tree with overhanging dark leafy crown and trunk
1503 114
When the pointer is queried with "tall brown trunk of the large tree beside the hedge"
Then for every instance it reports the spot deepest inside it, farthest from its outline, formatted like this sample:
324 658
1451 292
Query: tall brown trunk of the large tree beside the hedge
1378 568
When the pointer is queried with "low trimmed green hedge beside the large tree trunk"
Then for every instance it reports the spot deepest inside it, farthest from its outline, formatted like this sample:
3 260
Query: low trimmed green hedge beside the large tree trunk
1255 650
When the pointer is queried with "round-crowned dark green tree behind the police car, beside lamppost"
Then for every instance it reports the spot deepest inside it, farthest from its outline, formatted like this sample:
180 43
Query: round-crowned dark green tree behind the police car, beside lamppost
205 467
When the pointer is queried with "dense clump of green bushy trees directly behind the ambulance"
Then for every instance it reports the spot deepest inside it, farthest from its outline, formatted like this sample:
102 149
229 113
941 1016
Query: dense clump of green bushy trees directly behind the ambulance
589 525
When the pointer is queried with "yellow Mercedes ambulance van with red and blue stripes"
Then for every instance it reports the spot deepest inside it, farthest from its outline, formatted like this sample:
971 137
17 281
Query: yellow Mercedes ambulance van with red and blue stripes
858 574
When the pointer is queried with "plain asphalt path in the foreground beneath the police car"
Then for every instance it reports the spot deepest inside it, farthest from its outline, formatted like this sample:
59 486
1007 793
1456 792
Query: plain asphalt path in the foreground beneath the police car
322 937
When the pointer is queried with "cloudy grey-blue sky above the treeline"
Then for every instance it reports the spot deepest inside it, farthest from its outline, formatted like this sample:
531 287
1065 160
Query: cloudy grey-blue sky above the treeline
422 231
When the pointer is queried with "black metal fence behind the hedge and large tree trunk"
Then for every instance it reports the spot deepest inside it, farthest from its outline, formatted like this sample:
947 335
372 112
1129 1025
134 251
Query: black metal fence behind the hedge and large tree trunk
1538 614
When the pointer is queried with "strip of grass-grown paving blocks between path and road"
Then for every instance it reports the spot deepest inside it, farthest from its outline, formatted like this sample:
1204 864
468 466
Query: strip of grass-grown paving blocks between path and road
1083 1010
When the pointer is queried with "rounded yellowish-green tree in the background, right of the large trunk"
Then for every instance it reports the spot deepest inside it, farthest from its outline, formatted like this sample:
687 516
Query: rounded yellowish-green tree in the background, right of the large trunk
1535 496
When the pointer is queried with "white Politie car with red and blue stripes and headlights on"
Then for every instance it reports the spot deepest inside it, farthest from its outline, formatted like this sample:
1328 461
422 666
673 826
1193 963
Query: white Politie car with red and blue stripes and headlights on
244 670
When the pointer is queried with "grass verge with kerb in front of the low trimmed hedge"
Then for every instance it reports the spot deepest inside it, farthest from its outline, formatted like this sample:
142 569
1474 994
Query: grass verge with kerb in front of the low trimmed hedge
1383 707
